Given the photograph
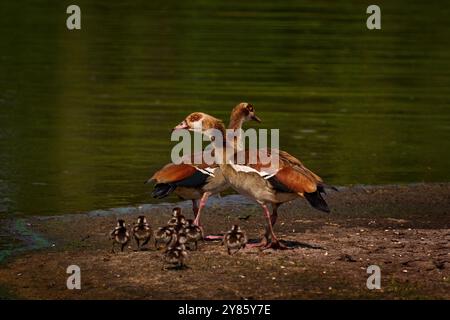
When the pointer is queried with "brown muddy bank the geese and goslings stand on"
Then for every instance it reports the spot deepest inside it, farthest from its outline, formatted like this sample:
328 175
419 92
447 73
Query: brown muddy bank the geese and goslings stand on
402 229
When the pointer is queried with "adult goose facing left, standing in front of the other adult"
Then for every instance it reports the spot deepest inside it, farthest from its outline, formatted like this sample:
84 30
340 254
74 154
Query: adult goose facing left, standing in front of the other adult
290 180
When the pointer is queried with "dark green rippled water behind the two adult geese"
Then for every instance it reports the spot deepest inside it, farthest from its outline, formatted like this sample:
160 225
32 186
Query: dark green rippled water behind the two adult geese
86 115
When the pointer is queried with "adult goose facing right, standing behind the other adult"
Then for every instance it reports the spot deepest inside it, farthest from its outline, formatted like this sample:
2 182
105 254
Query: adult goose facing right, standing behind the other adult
192 182
